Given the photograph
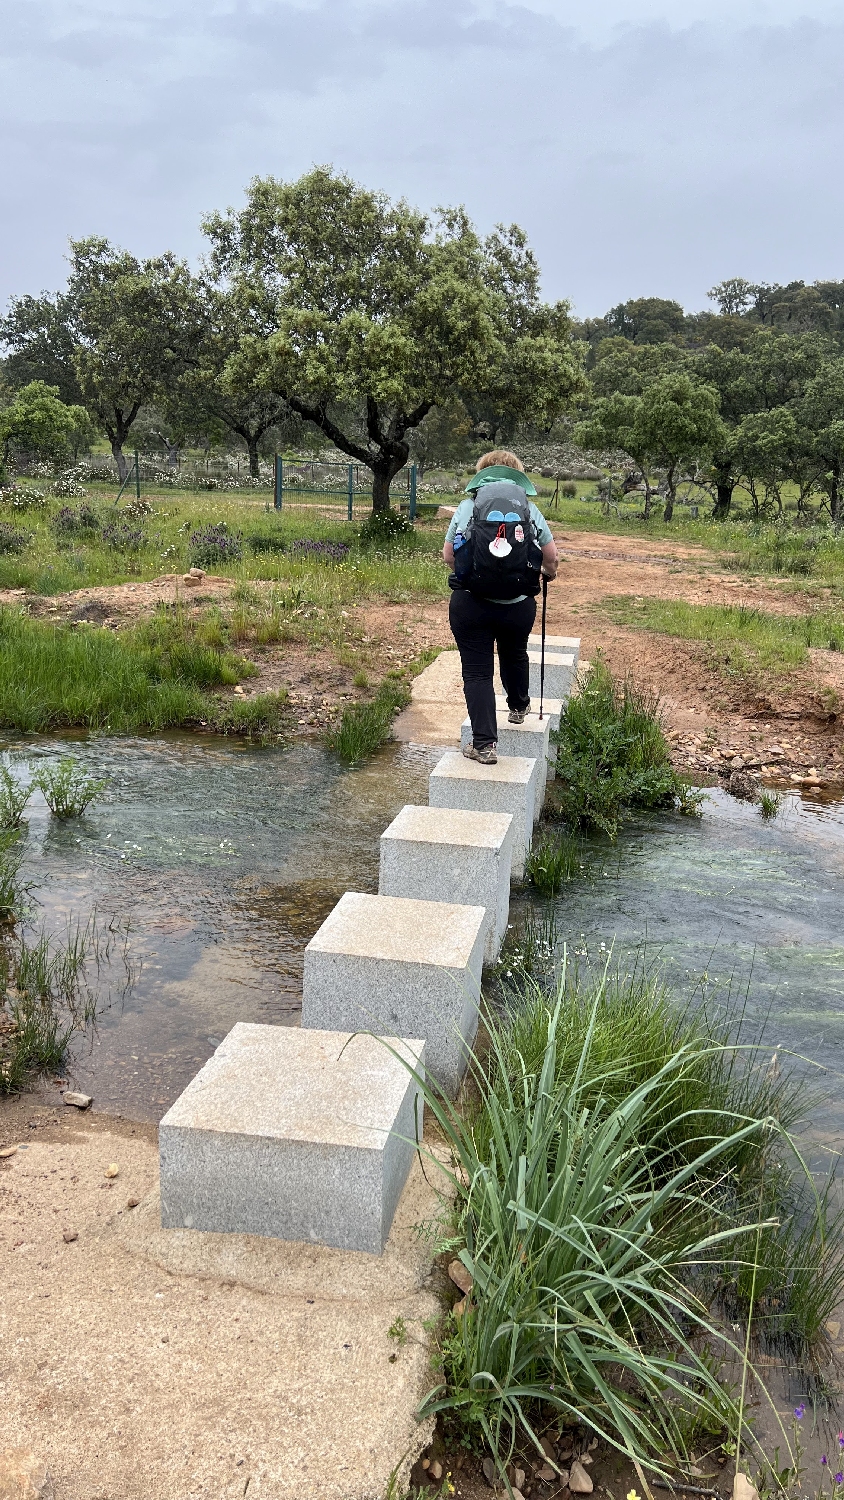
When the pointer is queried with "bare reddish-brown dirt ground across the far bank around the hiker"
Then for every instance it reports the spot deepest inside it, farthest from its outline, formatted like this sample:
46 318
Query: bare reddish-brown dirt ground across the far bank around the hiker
783 725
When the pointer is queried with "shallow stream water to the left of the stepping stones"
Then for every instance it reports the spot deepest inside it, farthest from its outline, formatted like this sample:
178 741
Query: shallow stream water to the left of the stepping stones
224 862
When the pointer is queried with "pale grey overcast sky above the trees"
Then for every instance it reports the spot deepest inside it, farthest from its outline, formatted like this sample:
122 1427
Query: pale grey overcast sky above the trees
650 148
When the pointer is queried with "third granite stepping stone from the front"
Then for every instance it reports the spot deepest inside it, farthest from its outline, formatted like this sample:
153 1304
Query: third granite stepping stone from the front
438 854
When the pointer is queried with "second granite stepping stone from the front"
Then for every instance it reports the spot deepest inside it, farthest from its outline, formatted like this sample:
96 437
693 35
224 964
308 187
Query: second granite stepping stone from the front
400 968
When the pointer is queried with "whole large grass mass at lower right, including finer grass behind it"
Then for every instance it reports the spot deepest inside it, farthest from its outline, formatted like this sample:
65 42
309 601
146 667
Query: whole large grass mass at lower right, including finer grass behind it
626 1190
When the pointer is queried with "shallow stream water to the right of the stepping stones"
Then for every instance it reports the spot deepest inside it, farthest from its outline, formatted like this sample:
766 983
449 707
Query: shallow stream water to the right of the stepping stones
743 911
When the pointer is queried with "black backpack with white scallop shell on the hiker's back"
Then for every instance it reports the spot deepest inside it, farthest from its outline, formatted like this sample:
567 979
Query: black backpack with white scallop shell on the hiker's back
498 556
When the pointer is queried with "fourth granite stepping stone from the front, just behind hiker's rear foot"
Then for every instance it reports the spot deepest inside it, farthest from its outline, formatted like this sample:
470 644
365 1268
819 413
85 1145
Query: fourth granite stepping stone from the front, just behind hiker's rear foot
506 788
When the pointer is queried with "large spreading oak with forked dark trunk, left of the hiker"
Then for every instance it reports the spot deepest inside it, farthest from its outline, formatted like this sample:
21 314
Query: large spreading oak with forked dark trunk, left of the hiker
364 316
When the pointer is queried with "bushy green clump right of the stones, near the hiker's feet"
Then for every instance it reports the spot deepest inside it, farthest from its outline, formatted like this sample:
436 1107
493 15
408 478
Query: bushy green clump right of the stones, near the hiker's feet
612 757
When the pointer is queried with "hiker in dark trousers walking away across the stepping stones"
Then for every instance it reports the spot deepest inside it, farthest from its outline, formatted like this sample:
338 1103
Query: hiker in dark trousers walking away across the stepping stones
498 547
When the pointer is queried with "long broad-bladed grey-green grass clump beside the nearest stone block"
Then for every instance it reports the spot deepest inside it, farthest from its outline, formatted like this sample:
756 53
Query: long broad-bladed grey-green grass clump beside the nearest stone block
584 1204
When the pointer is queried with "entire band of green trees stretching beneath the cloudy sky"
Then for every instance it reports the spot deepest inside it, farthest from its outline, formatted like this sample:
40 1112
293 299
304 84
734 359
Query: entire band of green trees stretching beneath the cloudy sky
323 308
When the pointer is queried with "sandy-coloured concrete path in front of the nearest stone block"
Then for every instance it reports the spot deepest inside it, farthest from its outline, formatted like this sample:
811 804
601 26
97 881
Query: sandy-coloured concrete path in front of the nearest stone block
142 1364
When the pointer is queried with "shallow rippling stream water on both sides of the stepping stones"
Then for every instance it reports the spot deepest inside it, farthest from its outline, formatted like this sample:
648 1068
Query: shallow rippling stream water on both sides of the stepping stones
224 860
